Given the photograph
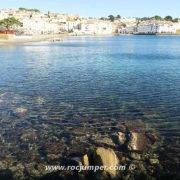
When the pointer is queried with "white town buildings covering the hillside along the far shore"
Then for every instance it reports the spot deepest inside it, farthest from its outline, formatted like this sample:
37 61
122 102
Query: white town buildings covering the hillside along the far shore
35 22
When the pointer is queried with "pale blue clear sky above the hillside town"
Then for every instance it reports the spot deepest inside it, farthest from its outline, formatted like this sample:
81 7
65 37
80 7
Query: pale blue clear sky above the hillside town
101 7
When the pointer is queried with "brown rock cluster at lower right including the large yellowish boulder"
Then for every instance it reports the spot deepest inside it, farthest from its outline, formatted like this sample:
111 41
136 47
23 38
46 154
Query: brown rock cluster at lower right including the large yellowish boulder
132 148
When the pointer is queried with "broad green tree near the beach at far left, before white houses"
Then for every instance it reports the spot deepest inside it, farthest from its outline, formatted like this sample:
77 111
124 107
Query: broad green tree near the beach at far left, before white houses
10 23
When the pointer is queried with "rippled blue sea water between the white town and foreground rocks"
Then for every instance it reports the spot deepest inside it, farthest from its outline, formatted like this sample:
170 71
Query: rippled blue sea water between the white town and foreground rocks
87 84
